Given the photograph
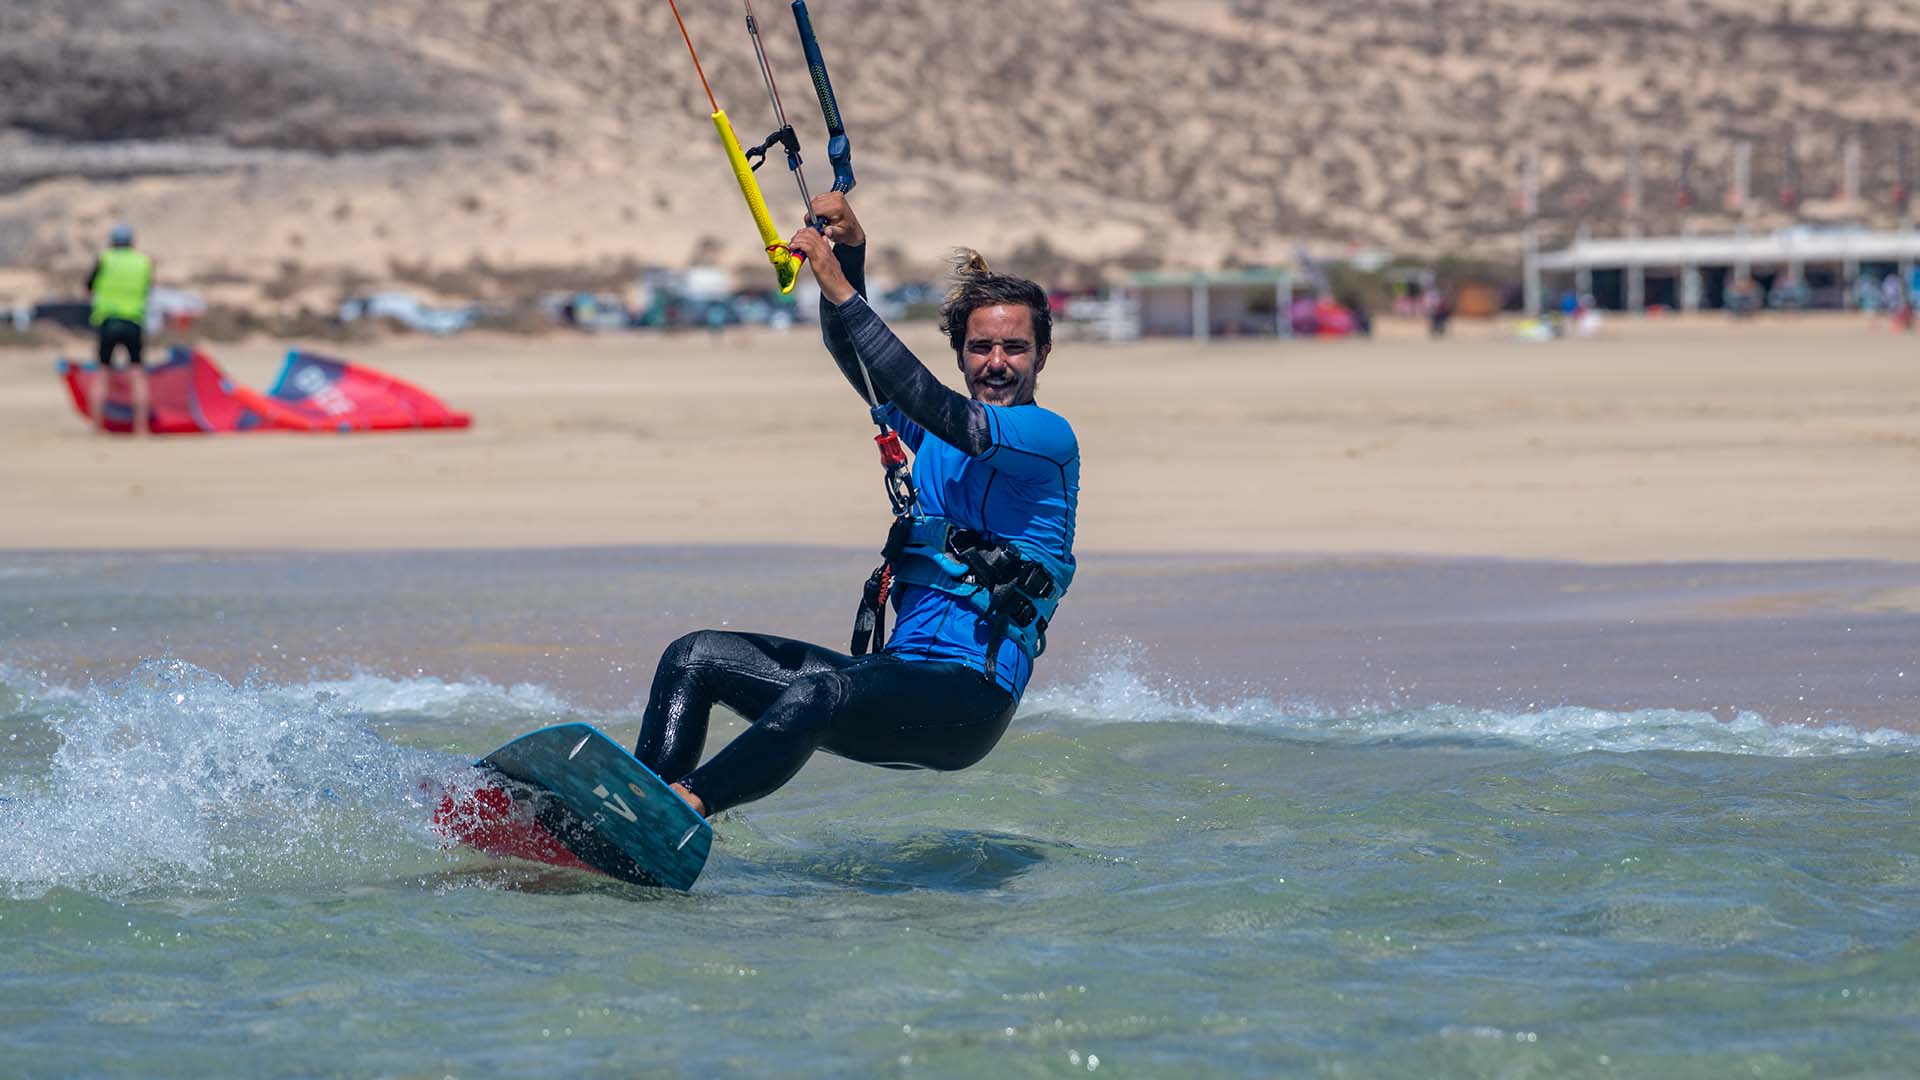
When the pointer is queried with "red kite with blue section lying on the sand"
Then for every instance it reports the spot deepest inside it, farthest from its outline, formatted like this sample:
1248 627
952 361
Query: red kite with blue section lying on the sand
191 395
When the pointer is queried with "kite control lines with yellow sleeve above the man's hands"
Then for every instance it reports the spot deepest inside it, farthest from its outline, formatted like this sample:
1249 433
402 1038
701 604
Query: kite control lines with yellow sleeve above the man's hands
748 160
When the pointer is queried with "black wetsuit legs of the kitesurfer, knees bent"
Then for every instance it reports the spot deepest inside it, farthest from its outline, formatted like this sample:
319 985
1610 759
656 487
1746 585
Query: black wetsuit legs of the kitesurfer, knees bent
876 710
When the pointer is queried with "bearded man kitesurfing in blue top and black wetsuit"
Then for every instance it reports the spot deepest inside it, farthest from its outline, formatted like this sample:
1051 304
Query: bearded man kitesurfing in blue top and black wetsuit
976 570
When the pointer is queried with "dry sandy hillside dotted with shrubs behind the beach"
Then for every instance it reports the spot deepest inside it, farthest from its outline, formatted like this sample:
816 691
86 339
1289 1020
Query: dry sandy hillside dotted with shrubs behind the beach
477 141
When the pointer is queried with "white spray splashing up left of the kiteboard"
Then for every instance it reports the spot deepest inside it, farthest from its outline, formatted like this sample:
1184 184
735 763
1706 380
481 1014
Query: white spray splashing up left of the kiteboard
176 777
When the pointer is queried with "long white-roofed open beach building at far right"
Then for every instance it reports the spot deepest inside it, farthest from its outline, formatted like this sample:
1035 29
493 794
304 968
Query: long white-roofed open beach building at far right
1696 272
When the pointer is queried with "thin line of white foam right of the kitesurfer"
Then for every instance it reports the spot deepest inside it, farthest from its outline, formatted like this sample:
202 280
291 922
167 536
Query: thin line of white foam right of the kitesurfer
1120 695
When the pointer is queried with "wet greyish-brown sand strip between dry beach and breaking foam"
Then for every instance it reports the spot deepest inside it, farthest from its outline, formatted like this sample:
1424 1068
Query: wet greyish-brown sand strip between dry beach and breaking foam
1790 643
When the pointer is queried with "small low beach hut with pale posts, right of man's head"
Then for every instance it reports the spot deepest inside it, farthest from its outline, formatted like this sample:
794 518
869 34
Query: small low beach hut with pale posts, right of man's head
1212 305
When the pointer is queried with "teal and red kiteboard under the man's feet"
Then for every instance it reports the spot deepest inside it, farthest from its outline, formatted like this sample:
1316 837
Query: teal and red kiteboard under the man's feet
571 797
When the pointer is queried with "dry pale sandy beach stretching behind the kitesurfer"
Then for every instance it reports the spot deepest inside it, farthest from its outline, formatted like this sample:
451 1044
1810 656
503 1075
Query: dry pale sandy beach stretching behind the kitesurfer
1664 441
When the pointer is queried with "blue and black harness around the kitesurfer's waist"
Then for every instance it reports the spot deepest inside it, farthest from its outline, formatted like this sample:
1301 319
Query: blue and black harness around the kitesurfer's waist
1015 593
